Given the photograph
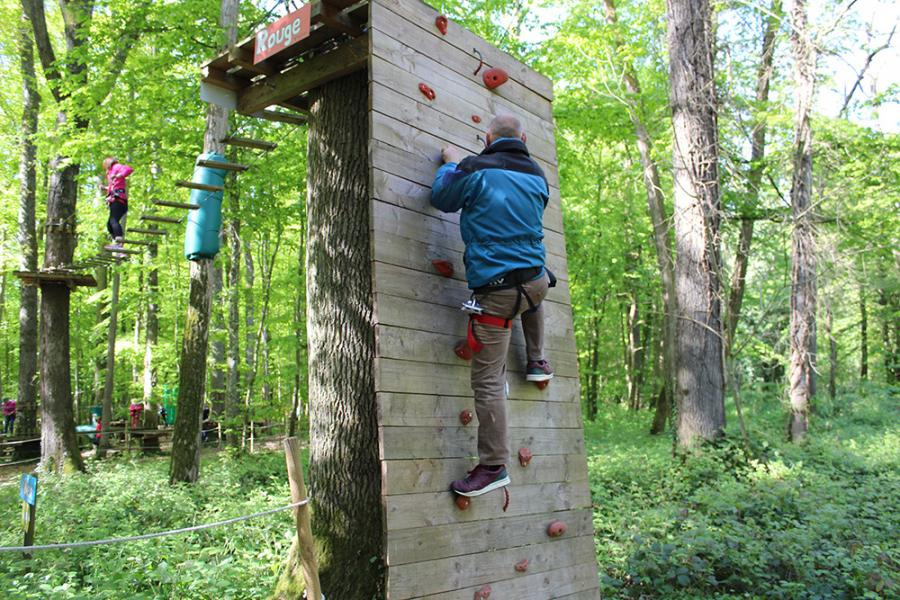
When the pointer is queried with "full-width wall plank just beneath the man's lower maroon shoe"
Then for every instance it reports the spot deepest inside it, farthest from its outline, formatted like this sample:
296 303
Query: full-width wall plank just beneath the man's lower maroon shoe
432 509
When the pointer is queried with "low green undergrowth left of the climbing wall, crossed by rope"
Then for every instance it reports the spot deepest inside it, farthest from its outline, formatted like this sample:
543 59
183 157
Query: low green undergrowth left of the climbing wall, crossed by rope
122 498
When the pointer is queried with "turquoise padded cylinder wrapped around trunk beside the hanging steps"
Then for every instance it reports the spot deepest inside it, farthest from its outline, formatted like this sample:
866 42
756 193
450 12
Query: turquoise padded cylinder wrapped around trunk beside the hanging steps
201 240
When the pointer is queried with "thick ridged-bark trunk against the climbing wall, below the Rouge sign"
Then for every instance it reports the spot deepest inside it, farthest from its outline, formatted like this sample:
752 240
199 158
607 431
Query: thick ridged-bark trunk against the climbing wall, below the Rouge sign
344 432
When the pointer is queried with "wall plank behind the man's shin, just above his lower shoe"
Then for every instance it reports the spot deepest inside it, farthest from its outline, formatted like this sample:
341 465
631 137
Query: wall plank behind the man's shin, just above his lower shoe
458 441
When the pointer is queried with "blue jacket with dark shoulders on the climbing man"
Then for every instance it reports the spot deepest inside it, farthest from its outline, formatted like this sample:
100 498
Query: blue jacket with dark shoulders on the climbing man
502 193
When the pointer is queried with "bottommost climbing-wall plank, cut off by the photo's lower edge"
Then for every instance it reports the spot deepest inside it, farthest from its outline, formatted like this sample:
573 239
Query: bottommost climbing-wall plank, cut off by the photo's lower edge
538 586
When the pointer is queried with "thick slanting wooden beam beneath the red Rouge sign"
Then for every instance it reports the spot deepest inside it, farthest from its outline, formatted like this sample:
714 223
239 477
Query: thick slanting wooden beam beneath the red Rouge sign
308 75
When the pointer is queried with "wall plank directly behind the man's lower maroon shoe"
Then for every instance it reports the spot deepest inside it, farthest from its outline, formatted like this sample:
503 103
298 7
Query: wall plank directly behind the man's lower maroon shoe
425 475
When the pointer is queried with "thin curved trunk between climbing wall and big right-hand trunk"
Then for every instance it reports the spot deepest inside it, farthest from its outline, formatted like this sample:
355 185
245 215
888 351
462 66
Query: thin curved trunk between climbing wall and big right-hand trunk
662 241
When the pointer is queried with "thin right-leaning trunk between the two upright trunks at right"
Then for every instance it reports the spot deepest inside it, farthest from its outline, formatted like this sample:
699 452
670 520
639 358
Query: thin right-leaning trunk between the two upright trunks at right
754 177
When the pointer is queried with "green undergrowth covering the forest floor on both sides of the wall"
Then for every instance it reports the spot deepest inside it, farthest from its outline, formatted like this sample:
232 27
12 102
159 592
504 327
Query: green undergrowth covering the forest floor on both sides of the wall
819 520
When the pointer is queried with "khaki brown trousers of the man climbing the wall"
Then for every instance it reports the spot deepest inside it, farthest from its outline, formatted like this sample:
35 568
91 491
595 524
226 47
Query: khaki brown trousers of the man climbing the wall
489 365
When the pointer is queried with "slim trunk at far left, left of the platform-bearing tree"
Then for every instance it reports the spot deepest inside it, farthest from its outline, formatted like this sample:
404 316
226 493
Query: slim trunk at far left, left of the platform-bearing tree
26 420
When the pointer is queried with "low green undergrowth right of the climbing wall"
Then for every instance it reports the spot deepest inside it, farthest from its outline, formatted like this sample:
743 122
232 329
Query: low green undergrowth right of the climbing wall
775 521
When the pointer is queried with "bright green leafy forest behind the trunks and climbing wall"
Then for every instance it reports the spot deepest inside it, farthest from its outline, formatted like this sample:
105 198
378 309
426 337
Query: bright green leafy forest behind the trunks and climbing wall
152 119
